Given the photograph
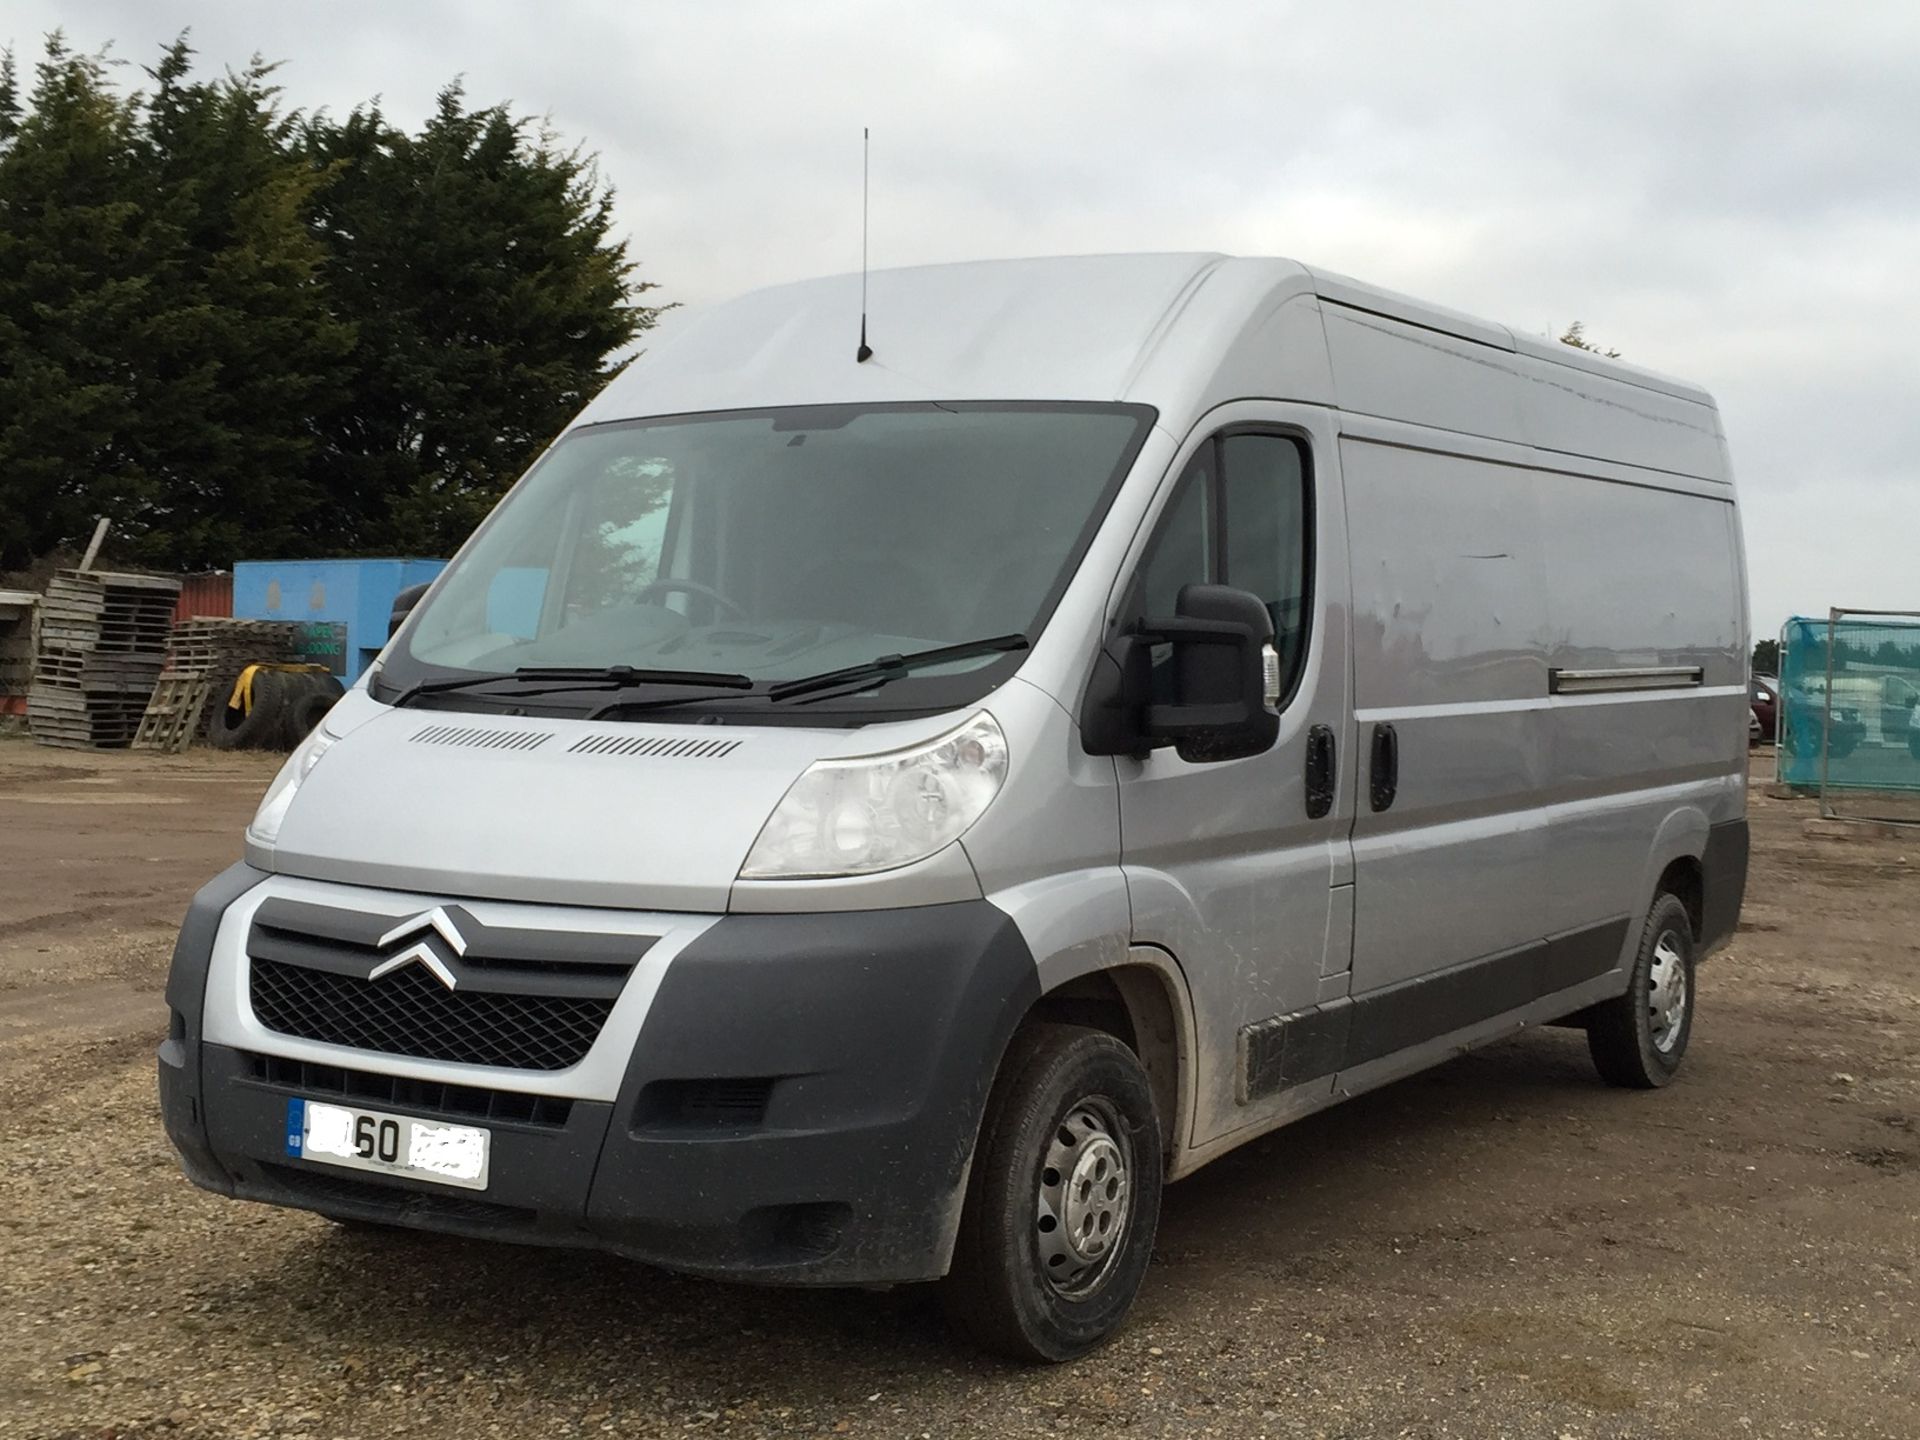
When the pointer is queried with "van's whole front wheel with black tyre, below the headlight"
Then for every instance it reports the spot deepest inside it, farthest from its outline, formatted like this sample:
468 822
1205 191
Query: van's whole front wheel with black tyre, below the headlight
1063 1203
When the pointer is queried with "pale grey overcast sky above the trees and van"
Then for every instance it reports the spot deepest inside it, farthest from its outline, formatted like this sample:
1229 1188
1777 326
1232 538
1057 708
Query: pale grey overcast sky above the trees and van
1729 193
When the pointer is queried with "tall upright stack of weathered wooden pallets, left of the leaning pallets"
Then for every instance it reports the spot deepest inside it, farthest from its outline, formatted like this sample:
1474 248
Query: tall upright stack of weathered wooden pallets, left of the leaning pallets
103 646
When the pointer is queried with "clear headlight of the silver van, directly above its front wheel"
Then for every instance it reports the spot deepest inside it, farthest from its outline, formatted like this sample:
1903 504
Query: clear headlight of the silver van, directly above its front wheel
882 811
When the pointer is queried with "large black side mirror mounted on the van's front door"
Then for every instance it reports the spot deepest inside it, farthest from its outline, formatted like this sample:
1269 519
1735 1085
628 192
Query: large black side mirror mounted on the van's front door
1224 683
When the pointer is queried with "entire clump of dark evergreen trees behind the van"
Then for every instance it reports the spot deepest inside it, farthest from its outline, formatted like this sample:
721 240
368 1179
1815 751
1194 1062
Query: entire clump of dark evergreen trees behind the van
245 333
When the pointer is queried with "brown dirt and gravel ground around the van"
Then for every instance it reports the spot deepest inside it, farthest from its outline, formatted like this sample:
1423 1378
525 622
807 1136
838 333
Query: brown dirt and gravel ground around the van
1499 1249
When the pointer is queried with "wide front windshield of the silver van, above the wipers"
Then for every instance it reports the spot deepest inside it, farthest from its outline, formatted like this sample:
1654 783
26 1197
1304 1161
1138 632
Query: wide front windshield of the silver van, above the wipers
777 544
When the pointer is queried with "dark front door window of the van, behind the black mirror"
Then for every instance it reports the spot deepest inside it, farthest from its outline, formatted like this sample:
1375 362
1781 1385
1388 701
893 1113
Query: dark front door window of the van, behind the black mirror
1239 519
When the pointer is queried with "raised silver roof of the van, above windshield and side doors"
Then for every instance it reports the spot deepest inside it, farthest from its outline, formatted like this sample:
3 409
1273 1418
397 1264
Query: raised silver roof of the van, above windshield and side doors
1176 331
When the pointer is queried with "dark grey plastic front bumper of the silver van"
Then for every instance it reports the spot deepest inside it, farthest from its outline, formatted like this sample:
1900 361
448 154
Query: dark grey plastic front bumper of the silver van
800 1107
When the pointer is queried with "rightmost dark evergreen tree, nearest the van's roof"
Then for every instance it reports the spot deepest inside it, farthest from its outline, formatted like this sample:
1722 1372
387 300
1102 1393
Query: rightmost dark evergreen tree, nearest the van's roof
477 262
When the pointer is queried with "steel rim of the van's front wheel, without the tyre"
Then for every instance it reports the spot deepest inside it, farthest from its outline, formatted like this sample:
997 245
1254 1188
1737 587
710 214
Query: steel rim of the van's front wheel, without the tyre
1084 1199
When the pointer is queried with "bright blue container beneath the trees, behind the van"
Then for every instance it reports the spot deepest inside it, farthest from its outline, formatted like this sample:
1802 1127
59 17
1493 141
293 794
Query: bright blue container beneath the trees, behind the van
343 604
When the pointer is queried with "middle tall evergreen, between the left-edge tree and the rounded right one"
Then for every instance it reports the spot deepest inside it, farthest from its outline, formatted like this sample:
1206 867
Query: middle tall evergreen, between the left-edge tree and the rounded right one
249 348
